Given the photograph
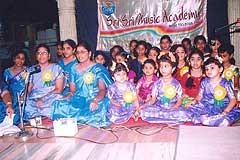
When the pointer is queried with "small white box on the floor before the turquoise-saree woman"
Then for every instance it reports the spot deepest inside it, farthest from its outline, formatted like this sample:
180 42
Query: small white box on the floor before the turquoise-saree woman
65 127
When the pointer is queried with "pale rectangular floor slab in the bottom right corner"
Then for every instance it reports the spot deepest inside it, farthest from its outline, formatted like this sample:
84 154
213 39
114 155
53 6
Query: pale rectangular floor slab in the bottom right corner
208 143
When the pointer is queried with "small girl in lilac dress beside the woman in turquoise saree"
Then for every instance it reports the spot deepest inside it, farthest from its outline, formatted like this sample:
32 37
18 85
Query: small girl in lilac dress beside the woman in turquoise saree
122 95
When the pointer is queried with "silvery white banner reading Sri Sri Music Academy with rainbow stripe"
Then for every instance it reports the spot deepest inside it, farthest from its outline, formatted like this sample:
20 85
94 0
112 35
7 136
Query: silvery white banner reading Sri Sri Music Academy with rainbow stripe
120 21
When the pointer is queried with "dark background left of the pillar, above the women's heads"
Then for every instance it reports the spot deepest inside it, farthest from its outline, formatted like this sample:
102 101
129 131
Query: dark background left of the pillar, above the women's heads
22 26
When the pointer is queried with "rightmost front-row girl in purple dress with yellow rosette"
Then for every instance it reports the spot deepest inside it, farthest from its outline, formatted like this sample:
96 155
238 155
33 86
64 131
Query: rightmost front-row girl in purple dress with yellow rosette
215 103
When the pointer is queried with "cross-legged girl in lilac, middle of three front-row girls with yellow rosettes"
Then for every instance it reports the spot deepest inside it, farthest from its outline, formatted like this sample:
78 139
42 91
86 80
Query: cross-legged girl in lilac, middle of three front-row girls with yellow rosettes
165 103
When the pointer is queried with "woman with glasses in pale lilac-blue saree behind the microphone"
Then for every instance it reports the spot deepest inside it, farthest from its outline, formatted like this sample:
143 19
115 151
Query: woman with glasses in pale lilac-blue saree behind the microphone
45 86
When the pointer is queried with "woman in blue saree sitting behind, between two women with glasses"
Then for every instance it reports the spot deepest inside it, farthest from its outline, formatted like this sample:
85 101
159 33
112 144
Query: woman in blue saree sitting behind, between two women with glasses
68 61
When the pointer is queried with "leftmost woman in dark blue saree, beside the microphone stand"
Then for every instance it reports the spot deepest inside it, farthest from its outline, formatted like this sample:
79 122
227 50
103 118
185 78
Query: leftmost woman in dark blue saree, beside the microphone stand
15 79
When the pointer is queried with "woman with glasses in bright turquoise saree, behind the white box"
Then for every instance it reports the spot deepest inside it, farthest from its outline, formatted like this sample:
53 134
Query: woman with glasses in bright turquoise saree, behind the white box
86 101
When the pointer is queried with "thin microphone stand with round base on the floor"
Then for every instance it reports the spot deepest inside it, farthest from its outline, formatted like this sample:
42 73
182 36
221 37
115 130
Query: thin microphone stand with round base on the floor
22 98
